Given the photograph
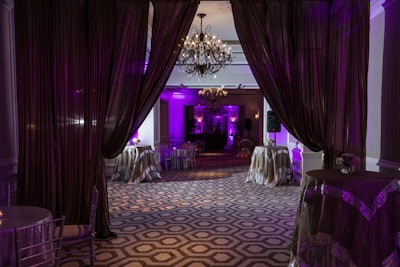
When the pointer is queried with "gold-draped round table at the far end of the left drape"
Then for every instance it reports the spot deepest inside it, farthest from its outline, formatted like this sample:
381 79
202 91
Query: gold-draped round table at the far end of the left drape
136 164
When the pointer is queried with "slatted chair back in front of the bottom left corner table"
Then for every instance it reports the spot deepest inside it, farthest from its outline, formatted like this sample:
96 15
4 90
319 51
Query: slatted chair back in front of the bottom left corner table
39 244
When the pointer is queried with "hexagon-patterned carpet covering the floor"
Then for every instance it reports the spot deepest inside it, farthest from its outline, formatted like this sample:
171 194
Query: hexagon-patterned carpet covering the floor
206 217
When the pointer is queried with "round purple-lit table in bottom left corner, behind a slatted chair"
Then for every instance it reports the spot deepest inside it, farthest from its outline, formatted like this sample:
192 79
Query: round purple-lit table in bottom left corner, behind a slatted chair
13 217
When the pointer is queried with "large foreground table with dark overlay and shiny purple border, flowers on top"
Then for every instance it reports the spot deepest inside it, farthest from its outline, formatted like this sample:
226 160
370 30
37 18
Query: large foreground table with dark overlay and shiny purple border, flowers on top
347 220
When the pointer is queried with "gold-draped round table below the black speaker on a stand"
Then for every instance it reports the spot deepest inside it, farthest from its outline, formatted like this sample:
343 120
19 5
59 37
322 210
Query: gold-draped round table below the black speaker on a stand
270 166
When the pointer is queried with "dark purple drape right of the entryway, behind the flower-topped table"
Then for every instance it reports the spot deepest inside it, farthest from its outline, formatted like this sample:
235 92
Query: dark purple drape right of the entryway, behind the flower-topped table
310 59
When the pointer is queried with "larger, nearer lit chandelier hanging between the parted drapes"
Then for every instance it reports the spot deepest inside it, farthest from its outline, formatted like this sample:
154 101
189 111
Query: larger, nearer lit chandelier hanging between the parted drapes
202 54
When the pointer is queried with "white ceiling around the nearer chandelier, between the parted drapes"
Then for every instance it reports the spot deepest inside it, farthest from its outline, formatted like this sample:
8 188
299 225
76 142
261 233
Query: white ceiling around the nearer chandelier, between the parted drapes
235 76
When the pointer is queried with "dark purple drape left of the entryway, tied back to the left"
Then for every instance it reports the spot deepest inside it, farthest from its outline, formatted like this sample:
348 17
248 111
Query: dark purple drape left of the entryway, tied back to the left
81 91
